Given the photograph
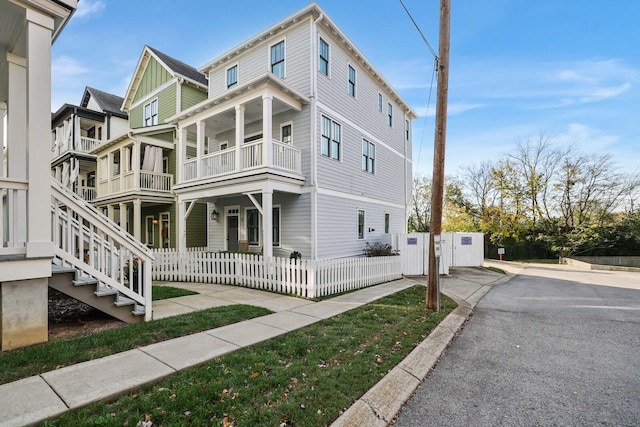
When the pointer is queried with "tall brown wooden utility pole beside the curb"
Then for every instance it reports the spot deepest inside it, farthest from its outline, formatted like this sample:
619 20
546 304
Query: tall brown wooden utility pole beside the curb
437 183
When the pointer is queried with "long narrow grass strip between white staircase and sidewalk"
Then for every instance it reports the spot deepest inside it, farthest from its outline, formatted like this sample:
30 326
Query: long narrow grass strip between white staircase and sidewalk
29 361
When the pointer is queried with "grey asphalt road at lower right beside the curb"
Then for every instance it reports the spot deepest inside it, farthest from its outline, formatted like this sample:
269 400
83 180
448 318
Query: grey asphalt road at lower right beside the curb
553 346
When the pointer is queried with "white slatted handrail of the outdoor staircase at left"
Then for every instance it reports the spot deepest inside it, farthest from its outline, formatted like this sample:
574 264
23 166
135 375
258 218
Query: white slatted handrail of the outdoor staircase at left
90 242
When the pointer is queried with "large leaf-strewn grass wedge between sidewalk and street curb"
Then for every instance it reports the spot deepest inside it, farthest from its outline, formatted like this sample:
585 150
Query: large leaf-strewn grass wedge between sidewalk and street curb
304 378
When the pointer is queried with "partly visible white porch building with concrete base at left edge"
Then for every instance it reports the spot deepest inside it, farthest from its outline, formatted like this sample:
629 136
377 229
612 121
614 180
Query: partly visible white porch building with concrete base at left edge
27 29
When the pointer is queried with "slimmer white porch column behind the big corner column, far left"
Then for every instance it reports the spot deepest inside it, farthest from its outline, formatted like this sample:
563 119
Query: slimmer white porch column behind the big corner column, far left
17 144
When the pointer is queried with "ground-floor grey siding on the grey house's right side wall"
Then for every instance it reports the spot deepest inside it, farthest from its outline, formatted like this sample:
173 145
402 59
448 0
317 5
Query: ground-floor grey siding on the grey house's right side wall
338 225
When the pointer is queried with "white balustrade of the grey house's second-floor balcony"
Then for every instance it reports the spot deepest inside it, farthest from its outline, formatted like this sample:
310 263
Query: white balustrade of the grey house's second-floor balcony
284 157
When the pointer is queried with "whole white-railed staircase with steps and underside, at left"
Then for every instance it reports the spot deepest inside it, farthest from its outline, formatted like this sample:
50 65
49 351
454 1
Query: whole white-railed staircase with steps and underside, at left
91 259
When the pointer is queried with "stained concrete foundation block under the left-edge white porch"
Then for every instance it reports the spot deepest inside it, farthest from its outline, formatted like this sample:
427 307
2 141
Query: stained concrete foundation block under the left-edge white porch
23 313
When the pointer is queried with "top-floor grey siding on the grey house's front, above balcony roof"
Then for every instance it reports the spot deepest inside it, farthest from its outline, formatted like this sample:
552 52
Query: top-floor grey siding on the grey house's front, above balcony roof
255 61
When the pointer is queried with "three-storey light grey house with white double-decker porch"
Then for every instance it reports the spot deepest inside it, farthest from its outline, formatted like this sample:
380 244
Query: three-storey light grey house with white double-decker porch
302 145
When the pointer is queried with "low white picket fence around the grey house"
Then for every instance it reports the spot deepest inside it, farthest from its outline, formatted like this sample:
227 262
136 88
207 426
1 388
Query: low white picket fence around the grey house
304 278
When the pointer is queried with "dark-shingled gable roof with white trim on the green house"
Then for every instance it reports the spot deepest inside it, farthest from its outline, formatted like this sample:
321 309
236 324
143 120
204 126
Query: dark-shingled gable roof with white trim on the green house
176 68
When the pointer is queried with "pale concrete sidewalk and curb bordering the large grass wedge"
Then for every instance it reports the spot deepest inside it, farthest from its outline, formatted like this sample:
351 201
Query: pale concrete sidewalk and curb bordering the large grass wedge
50 394
